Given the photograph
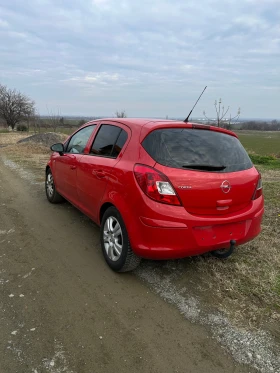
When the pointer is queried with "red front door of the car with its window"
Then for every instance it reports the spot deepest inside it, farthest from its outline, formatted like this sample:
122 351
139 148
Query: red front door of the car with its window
66 165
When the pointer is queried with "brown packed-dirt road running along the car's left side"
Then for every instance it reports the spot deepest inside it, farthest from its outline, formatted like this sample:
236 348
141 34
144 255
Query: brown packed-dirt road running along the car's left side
63 310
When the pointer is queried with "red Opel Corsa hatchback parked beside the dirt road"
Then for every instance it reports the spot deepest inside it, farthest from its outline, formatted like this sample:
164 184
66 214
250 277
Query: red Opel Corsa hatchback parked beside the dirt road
159 189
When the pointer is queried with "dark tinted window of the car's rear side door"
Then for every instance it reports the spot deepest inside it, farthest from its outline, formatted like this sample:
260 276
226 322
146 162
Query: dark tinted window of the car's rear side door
109 141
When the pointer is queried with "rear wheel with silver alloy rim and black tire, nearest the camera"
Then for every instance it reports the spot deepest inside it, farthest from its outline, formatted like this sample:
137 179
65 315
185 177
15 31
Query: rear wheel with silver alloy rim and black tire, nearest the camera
115 242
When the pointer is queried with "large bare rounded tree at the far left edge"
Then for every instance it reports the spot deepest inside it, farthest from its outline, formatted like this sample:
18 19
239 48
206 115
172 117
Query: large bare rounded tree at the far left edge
14 106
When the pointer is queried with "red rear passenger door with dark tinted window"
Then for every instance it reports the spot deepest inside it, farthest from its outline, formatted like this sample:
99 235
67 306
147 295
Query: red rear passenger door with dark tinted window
95 169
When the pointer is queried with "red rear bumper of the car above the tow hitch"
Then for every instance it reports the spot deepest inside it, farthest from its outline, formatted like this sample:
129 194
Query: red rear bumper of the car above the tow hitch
185 235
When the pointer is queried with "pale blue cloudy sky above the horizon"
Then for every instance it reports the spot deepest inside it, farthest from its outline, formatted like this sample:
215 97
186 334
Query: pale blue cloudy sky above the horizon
151 58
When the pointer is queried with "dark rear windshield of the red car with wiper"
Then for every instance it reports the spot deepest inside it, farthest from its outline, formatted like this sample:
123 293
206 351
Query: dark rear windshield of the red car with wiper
197 149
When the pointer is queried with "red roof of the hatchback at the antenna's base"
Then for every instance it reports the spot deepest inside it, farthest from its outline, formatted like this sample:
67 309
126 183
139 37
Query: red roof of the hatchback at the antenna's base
151 124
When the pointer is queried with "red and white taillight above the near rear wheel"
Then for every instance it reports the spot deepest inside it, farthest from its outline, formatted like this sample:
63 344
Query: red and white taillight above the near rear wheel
155 185
